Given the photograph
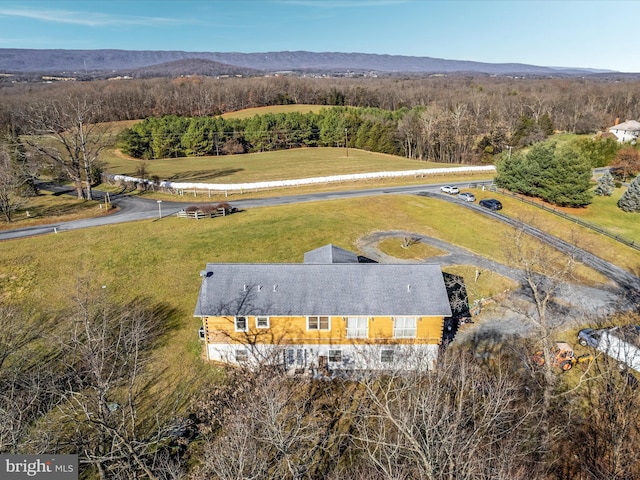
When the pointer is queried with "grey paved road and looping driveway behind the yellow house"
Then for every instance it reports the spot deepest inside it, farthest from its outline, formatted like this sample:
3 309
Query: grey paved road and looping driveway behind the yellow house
585 302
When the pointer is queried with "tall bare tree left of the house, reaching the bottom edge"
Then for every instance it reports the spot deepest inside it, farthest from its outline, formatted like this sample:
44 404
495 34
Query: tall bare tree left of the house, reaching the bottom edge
105 416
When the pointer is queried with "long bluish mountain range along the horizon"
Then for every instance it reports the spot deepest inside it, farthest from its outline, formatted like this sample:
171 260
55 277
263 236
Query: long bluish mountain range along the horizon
146 63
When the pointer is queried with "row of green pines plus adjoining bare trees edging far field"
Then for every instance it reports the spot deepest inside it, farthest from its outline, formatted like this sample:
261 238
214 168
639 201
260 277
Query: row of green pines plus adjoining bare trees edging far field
418 133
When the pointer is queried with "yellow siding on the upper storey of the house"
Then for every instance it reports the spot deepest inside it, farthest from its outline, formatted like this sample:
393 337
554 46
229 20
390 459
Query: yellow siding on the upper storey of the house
293 330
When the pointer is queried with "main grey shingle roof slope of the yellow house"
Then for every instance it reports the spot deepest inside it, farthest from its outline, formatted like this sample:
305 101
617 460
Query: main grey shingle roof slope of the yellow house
323 289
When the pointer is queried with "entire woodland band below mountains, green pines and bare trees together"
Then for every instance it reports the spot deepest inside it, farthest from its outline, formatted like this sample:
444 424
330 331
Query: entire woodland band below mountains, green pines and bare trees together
64 129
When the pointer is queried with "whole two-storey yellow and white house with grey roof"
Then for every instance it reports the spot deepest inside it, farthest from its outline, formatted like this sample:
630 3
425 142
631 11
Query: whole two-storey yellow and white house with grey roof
330 313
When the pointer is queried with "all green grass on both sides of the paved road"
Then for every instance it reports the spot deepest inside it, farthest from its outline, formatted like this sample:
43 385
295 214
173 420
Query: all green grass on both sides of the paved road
161 260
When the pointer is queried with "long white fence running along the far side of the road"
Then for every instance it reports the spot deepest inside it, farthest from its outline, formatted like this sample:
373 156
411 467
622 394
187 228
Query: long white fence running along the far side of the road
231 187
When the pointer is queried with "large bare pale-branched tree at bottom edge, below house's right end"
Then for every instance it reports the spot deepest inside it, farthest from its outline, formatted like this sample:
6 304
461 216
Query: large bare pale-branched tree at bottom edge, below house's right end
459 421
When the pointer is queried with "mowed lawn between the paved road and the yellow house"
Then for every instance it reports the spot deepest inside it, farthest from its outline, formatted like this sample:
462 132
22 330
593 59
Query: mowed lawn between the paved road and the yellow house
161 260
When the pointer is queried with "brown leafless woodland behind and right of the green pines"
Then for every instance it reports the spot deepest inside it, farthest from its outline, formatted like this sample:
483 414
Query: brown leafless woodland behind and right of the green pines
495 111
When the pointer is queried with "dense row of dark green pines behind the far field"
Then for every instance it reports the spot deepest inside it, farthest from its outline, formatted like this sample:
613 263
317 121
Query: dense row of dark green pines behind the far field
173 136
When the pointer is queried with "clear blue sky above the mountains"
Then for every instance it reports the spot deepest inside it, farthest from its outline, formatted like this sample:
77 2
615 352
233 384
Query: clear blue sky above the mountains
567 33
